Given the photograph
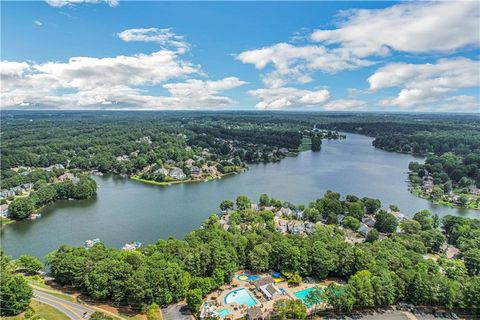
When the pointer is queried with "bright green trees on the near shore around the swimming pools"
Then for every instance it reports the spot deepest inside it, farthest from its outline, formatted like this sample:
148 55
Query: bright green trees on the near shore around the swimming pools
388 267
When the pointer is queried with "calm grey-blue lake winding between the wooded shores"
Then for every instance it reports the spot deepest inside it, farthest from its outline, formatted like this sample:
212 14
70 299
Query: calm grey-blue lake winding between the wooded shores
125 210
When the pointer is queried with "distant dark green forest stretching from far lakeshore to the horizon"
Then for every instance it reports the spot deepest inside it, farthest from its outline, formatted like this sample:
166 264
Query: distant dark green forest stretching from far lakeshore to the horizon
95 140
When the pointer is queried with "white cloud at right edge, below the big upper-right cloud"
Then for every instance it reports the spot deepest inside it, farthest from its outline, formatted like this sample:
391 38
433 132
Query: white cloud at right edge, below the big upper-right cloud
425 83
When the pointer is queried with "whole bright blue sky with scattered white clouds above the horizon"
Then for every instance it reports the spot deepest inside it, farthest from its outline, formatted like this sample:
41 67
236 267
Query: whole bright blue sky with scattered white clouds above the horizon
330 56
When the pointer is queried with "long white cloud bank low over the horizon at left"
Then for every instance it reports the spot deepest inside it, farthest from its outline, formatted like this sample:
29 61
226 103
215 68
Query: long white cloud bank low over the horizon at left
122 81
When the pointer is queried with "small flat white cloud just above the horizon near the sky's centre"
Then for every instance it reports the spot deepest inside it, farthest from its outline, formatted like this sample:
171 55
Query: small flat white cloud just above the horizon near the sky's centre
281 98
